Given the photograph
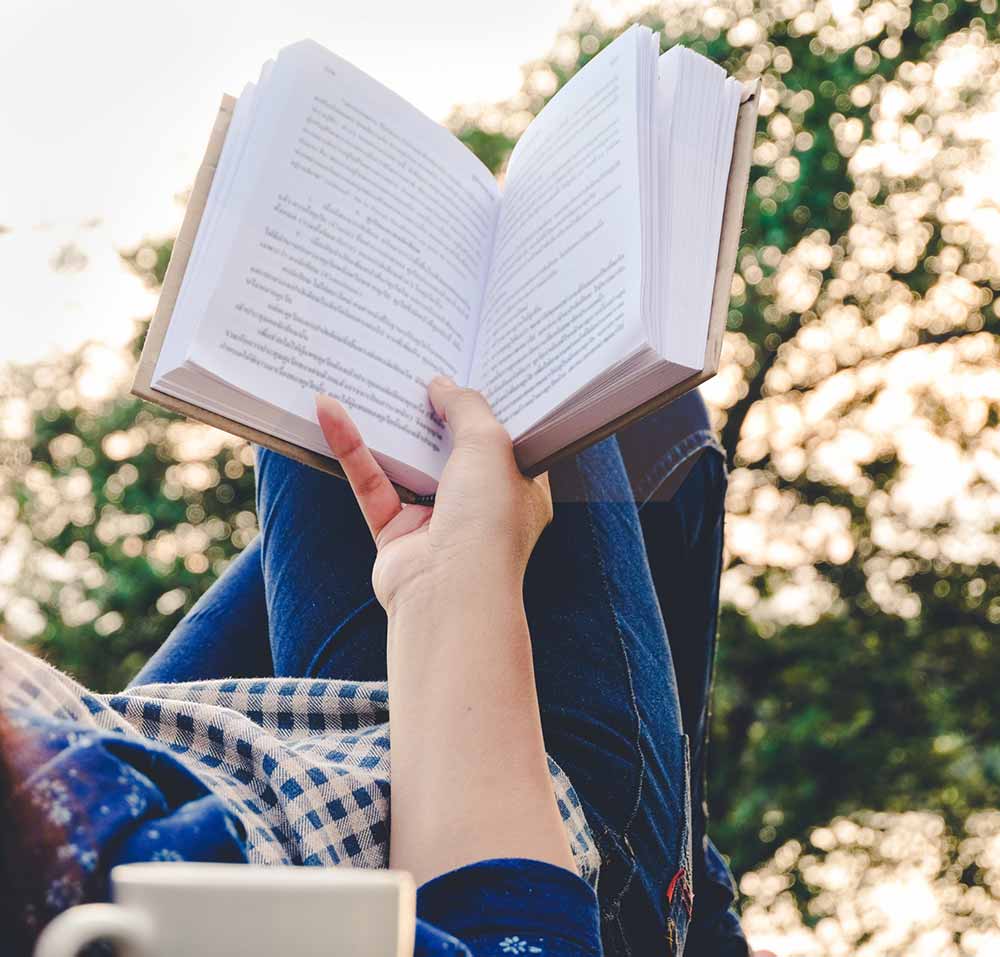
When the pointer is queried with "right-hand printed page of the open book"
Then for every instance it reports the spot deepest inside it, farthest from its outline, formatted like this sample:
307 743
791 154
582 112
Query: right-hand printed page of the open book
562 300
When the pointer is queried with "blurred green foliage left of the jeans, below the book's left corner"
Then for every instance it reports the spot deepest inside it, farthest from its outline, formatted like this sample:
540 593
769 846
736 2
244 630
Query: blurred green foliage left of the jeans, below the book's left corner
120 515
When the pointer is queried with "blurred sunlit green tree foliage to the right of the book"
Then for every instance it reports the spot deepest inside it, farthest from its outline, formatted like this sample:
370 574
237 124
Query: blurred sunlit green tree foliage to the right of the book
857 652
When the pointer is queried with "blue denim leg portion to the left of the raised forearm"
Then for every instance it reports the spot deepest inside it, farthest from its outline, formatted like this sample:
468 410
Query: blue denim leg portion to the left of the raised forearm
297 601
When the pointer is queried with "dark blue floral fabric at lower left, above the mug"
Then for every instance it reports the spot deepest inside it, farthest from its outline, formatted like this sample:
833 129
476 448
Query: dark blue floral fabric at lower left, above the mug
103 800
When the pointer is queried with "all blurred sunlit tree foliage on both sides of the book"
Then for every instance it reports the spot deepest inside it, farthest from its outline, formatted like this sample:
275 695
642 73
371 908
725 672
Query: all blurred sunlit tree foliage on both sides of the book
858 403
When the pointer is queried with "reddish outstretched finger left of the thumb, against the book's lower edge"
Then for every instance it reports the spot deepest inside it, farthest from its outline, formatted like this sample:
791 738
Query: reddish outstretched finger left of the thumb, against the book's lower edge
378 500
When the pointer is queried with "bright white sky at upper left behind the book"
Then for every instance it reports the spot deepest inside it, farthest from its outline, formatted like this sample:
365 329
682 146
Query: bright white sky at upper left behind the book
106 110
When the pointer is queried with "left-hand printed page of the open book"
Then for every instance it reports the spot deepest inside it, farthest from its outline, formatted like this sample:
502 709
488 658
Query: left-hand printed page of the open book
359 257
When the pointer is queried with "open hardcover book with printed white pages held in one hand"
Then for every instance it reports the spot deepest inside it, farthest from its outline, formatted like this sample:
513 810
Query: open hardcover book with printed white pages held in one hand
339 241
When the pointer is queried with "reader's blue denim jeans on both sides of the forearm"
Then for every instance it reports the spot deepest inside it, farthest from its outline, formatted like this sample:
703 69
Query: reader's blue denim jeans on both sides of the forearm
622 600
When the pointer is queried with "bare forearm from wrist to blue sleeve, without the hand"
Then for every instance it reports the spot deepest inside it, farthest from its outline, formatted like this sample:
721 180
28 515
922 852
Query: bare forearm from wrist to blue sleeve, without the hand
470 778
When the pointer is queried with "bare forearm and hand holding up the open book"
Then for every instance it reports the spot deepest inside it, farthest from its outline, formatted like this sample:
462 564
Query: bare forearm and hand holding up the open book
470 779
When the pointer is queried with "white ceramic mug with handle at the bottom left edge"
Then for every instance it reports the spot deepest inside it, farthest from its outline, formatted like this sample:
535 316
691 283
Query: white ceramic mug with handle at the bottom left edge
217 910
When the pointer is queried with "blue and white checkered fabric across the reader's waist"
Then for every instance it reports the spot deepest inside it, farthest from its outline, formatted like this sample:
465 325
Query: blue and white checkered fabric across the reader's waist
303 763
